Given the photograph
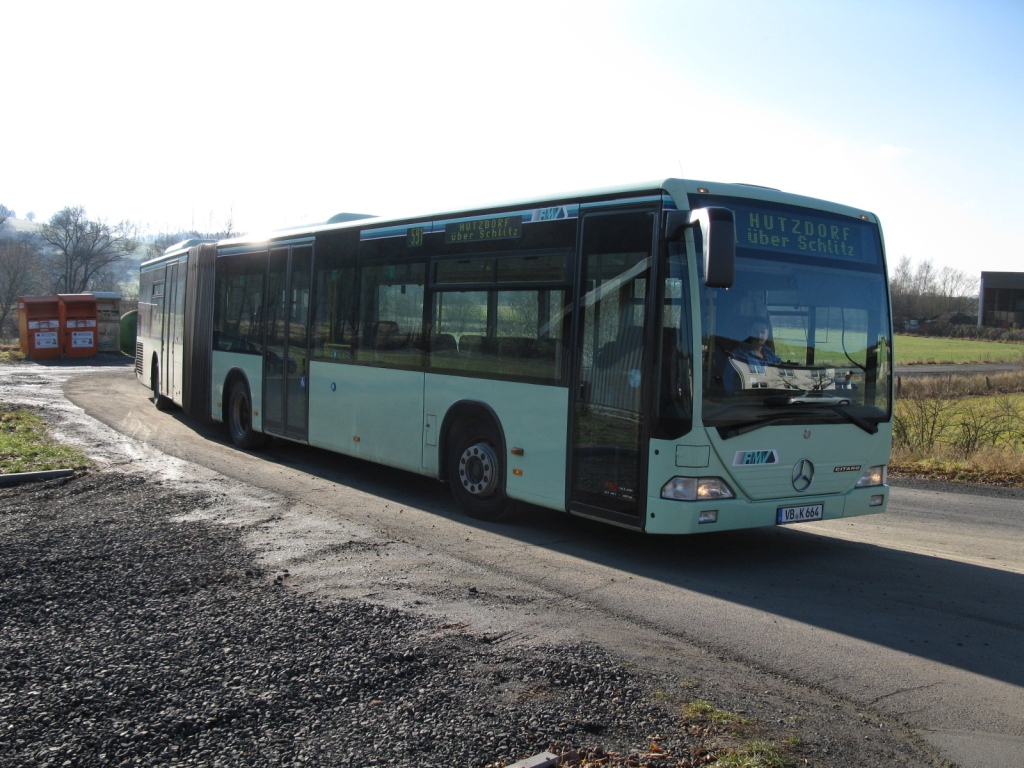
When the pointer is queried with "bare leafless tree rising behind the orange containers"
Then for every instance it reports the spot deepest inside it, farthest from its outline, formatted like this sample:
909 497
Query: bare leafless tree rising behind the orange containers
84 249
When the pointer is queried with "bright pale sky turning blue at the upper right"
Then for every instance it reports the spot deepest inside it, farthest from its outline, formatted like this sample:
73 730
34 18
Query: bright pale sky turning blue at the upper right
182 115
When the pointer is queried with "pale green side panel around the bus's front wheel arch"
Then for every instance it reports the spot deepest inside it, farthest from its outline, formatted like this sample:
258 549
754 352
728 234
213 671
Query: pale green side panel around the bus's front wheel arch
534 418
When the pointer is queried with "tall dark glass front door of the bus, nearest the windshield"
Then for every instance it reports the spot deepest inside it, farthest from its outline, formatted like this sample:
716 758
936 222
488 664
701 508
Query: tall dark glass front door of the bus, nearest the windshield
608 463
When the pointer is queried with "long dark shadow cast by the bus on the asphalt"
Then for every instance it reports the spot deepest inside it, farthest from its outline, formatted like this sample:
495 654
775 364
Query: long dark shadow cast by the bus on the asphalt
967 617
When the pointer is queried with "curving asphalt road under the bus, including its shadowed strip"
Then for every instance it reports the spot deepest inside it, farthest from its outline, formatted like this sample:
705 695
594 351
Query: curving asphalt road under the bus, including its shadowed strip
917 615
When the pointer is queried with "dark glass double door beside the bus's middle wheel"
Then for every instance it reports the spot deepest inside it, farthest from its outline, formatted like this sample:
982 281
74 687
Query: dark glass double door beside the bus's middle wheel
286 355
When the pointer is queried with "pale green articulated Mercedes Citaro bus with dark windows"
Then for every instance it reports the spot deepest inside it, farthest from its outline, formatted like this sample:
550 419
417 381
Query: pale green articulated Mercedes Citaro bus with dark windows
673 358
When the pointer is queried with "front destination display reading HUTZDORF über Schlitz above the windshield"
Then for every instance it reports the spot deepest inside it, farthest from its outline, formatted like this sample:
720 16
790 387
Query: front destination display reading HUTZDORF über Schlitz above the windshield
803 232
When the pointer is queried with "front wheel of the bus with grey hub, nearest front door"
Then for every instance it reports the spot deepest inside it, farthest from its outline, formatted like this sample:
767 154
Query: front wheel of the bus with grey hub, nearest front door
477 472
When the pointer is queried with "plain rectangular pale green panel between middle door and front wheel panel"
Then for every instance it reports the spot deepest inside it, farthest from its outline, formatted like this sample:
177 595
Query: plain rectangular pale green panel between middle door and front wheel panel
382 408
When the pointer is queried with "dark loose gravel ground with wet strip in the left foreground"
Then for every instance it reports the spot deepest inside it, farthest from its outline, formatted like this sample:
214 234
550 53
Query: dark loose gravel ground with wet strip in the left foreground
135 631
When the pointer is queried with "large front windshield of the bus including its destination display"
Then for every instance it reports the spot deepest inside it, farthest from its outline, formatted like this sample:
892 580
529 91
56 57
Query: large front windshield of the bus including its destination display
802 337
